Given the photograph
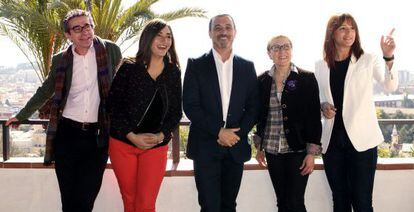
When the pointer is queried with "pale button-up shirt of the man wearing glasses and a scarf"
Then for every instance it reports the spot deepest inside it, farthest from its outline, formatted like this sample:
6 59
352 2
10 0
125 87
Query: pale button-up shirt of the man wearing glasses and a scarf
83 100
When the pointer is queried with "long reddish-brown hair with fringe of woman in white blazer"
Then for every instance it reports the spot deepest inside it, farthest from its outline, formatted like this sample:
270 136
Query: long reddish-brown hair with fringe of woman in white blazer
329 48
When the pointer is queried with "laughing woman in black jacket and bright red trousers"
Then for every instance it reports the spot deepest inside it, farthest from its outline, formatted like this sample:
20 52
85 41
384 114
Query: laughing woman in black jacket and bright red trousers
145 107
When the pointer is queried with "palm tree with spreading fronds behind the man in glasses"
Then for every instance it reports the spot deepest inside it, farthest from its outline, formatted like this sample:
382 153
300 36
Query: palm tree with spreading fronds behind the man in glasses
35 25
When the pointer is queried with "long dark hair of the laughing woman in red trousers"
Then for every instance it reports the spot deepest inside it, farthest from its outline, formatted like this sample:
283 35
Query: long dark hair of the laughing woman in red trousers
151 30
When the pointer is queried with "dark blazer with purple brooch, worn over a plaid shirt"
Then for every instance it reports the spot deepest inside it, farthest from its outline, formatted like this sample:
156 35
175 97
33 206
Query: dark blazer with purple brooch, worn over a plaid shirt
300 108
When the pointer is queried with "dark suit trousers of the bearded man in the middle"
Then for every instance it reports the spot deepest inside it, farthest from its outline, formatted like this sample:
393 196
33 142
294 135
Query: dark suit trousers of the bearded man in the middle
218 181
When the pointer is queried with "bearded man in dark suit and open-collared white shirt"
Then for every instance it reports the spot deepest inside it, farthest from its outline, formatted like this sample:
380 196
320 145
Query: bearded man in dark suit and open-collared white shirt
220 99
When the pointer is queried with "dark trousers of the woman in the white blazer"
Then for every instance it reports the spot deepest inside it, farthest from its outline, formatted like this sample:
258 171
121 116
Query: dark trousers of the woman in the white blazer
350 174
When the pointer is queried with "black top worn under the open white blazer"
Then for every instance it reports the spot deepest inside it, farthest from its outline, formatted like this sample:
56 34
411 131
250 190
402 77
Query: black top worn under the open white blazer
337 83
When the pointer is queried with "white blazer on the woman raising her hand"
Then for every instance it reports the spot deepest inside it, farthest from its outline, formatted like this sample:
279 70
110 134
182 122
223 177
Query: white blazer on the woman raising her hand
359 114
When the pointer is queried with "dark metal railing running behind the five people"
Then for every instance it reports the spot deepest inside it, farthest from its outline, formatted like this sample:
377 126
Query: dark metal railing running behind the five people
175 152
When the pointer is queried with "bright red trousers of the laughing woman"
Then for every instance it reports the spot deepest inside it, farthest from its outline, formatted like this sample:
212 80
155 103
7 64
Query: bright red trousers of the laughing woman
139 174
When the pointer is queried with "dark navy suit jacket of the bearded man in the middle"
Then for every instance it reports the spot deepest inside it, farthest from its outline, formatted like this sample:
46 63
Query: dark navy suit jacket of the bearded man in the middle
202 105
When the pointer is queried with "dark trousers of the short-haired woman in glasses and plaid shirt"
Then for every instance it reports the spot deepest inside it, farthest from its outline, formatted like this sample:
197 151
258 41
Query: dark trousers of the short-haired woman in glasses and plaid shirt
287 181
